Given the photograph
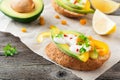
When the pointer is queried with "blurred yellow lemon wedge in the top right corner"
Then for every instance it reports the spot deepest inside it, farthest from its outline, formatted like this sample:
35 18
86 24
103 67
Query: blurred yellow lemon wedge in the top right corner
106 6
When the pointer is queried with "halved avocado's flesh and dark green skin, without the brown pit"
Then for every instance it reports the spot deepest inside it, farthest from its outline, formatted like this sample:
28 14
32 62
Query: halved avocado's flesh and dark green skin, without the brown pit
5 7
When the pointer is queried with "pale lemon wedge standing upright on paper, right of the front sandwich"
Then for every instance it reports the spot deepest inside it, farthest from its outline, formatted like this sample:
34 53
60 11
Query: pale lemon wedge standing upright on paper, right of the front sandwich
102 24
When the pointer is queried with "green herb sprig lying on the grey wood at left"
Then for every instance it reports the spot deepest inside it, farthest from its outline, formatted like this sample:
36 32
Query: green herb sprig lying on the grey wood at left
9 50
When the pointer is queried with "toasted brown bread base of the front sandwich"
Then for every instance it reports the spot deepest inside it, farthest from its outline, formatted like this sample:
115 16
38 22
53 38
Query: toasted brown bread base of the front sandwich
61 58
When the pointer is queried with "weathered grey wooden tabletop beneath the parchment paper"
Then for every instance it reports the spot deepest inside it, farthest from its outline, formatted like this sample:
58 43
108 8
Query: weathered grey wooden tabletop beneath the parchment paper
30 66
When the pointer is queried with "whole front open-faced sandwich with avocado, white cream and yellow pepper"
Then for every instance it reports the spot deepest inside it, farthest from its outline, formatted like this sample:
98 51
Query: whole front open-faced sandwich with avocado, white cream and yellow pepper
76 51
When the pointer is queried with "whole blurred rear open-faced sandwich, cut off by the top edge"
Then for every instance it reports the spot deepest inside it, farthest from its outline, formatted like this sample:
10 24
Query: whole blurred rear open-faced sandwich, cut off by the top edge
72 8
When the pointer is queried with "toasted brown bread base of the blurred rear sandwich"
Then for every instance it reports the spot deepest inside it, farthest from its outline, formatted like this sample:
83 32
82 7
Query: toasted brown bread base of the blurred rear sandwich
65 12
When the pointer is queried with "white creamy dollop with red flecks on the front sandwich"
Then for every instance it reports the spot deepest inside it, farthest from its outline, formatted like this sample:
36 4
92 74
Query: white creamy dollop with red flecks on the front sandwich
71 40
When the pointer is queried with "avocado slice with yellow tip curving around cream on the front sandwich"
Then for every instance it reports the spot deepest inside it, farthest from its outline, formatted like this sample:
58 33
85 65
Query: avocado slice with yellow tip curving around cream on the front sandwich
65 48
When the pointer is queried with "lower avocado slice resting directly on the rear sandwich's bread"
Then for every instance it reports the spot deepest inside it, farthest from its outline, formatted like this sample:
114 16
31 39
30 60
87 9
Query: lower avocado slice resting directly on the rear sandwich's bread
80 11
